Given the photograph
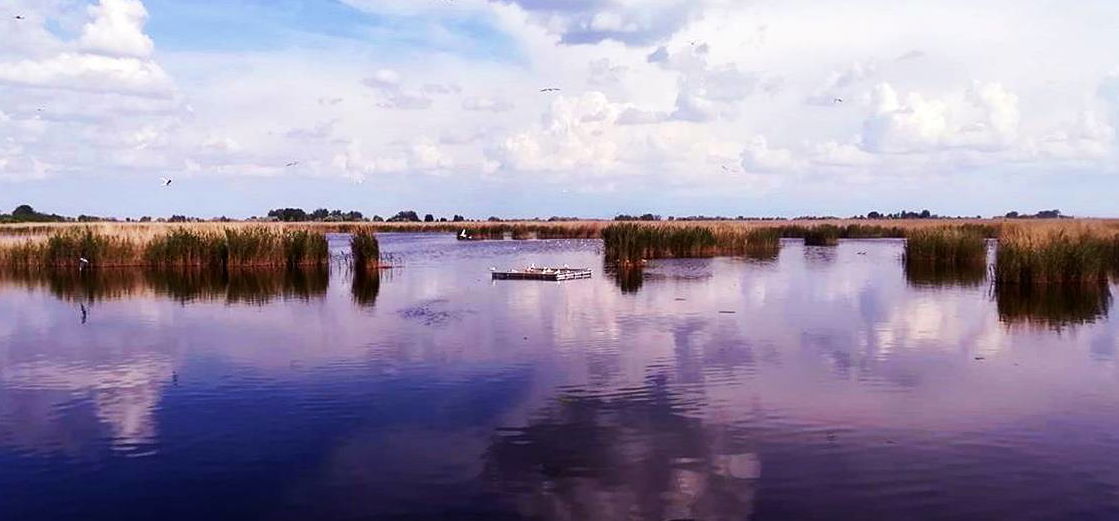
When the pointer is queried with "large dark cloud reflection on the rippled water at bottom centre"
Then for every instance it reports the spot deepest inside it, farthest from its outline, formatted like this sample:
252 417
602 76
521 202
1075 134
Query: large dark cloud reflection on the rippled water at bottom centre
624 457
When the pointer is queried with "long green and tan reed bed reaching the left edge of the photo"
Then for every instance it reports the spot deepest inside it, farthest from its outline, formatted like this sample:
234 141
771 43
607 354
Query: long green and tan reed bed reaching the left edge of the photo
175 248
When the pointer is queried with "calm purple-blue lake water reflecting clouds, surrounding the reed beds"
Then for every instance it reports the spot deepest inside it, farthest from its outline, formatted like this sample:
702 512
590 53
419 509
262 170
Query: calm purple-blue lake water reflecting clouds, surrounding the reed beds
829 383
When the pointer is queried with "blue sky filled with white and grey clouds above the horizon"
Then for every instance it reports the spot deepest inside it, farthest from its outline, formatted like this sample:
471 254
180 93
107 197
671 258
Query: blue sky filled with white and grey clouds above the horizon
769 108
